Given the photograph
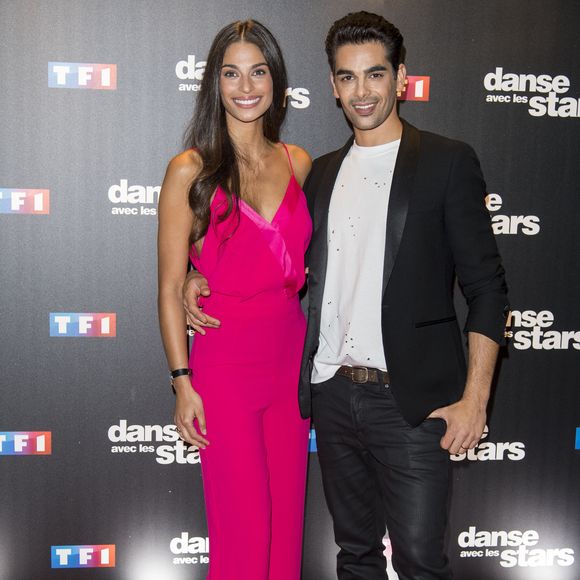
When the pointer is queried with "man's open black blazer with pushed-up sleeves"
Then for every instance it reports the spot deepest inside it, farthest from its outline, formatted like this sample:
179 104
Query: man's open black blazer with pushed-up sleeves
437 226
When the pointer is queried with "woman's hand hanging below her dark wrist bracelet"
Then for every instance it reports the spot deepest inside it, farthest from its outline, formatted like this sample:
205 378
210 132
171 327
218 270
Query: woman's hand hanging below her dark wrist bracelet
188 407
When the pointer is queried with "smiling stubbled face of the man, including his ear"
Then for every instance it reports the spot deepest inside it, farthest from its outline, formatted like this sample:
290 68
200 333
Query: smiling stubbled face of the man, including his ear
364 82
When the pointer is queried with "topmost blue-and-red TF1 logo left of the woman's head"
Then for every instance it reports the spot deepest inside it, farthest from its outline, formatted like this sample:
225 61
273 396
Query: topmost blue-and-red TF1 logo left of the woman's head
79 75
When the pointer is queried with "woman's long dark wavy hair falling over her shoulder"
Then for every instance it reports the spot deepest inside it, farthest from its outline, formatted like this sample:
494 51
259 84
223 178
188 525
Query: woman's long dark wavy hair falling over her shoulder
208 133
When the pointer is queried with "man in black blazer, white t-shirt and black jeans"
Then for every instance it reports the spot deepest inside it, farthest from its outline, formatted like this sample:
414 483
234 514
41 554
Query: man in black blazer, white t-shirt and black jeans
396 213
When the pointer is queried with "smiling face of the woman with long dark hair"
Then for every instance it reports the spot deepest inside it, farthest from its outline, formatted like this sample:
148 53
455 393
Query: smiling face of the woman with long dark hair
246 87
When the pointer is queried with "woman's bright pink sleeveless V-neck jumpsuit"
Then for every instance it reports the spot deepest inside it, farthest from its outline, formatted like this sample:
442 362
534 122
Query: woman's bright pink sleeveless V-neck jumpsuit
246 371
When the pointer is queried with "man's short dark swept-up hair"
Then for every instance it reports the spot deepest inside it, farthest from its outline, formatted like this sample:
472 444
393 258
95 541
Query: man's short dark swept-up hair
361 27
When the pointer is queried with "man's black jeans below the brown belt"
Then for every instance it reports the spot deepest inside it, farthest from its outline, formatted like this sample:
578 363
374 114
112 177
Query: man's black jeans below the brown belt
378 472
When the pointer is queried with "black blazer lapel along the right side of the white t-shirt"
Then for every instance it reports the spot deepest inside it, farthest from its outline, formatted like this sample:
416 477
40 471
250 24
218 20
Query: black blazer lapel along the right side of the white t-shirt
401 189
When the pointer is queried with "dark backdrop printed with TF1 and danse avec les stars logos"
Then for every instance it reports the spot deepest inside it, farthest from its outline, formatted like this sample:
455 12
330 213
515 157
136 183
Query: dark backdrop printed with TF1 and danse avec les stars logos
94 481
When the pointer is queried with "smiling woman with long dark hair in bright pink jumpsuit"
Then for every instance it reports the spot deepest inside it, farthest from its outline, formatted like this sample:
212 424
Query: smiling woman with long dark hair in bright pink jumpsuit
236 194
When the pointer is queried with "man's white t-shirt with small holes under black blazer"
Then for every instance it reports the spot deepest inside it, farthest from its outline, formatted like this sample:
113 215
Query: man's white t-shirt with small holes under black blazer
350 324
